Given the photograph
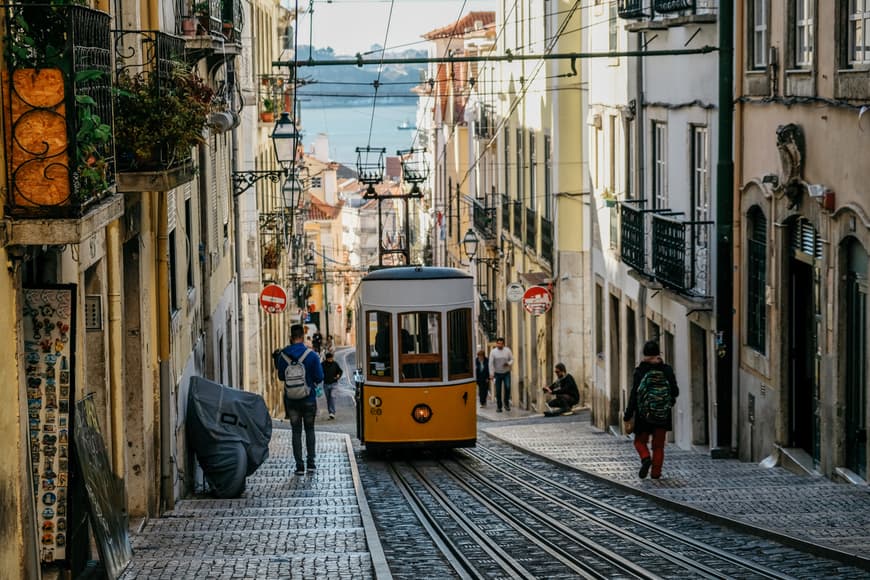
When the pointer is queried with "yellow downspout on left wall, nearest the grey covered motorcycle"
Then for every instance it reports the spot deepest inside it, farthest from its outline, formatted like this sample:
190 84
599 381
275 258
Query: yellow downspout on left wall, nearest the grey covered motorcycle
116 349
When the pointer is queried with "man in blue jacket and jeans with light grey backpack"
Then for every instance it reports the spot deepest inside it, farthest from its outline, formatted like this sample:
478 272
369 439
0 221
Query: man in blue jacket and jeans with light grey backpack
300 370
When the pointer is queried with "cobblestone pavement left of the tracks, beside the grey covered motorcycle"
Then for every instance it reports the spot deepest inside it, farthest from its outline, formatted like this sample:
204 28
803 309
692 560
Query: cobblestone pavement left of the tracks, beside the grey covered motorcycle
283 526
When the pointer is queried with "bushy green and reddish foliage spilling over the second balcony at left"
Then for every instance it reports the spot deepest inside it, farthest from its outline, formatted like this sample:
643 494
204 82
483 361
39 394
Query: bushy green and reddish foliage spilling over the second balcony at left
159 119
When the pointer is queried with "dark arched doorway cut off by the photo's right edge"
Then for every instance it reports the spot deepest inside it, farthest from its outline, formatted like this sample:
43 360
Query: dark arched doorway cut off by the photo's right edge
856 358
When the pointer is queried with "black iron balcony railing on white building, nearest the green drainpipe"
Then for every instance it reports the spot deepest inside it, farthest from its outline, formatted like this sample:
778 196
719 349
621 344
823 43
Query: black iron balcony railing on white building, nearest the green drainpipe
681 254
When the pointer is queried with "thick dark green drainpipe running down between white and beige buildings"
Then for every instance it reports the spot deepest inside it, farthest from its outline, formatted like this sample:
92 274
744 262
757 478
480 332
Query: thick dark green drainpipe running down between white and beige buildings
724 234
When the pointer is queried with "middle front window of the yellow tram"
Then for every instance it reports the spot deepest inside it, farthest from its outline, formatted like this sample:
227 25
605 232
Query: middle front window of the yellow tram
420 357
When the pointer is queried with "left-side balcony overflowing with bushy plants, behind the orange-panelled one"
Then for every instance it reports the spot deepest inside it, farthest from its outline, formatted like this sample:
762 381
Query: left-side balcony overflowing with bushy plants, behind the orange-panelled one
150 72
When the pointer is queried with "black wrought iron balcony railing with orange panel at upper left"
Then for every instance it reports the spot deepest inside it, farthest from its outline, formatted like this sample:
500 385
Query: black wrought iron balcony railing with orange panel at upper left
58 124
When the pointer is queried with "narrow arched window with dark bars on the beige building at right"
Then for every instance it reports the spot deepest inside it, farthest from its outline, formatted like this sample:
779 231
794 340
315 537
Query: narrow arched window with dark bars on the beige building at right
756 311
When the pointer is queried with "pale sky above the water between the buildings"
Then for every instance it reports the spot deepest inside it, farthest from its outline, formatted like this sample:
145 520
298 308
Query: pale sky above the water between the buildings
351 26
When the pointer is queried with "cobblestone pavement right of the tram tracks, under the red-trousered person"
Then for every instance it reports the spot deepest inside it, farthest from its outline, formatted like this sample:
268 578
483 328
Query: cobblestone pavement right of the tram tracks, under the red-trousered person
775 501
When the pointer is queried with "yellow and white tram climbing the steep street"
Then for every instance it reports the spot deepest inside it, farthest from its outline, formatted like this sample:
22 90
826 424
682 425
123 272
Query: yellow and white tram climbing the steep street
415 382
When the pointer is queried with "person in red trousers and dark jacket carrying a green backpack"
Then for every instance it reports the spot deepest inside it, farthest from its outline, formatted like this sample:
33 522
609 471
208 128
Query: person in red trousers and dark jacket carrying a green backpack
653 392
